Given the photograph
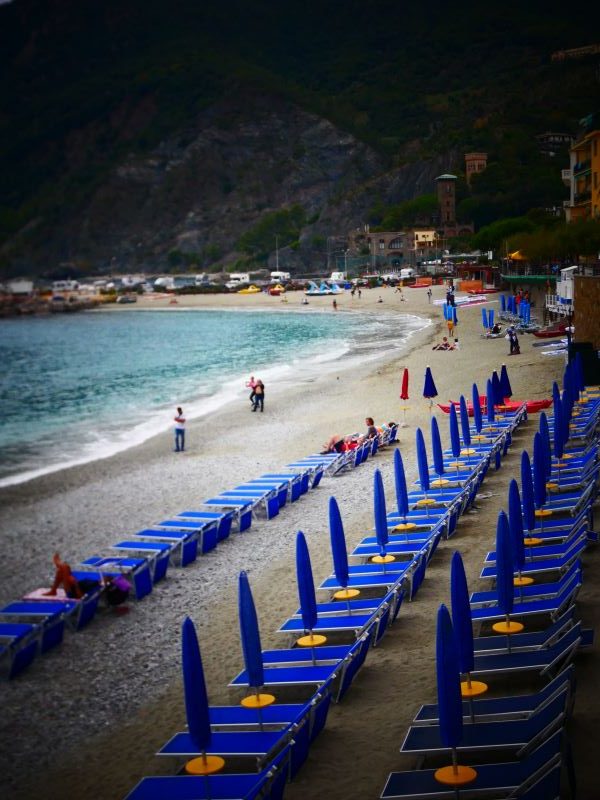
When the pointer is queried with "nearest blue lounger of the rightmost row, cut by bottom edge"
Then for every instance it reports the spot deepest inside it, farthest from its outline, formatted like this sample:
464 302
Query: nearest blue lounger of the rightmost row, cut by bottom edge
495 780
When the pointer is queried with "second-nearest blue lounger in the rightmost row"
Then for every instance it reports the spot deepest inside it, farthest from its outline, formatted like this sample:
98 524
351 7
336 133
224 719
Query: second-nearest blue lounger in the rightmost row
519 736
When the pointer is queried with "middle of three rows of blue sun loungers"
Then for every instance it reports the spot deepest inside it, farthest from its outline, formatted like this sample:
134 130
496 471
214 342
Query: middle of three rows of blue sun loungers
316 674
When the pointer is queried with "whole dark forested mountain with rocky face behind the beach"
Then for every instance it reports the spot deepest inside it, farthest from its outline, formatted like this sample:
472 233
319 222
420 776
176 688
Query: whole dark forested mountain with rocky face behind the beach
131 130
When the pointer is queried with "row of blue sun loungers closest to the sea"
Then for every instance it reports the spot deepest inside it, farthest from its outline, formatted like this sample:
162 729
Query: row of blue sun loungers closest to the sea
35 624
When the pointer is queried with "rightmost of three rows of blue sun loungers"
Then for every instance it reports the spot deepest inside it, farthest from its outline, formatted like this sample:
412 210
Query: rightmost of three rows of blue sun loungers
530 728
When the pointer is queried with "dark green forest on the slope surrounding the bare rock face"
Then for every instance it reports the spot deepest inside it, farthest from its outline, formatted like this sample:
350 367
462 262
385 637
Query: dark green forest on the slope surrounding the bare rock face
87 84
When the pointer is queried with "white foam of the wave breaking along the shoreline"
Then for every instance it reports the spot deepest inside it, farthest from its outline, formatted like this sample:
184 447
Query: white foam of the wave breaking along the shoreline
313 362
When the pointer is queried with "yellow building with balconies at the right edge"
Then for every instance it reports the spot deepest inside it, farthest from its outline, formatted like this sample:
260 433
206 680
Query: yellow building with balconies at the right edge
584 200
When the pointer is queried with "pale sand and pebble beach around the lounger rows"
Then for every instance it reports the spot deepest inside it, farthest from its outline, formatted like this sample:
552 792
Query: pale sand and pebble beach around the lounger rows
88 717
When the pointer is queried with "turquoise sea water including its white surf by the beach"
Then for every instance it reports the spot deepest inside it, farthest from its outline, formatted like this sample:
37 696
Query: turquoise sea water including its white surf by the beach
78 387
